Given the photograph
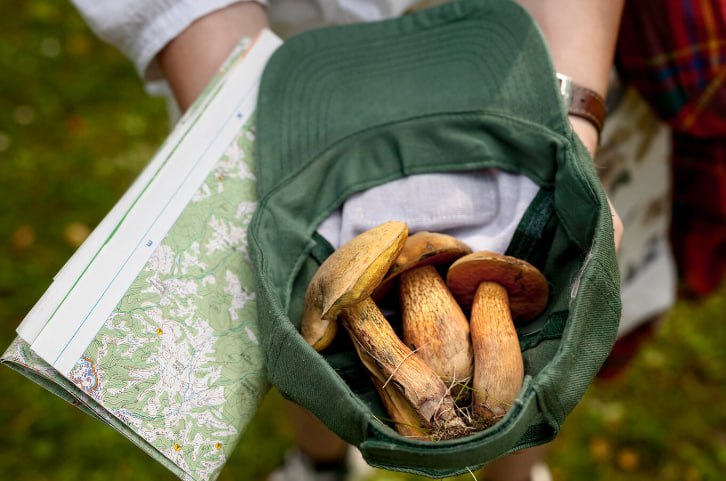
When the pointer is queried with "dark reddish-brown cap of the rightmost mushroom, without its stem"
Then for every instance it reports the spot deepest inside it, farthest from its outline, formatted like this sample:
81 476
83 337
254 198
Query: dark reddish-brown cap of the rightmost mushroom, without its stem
526 286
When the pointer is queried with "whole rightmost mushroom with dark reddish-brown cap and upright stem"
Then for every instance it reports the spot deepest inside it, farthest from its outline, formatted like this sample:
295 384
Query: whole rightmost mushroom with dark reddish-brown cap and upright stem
499 289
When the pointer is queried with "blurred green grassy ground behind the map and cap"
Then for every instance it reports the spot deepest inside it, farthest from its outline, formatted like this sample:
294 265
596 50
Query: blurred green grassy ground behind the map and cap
75 129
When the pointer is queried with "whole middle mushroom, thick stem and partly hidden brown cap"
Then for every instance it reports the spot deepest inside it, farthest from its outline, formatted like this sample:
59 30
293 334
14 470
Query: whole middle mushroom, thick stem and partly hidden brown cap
433 323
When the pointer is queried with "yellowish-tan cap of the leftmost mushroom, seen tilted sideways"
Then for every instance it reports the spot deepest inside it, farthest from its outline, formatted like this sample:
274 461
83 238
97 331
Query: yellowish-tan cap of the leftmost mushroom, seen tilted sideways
348 276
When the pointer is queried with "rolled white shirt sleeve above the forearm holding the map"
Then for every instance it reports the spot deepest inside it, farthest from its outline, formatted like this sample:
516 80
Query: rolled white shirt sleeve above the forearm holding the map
141 28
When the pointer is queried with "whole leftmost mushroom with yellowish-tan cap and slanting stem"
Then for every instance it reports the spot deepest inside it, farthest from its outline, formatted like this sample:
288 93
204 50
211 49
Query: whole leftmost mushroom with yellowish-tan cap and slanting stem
341 288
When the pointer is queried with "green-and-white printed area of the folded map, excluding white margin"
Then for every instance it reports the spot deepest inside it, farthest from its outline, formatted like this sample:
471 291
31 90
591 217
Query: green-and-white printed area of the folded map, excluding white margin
177 366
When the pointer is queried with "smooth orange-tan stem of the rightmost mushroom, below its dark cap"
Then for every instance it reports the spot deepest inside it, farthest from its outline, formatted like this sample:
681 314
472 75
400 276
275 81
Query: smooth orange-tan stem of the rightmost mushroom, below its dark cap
498 367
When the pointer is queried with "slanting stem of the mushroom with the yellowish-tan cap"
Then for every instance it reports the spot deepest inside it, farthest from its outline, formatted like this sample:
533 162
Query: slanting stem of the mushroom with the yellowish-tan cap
400 366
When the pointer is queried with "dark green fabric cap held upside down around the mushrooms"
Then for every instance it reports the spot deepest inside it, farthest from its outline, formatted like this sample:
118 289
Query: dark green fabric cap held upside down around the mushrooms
464 86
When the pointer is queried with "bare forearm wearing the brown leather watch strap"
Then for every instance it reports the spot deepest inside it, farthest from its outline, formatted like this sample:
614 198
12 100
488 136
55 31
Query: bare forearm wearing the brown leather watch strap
581 36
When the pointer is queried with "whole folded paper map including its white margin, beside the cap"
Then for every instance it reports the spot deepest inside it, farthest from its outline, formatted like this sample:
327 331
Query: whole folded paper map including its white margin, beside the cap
151 326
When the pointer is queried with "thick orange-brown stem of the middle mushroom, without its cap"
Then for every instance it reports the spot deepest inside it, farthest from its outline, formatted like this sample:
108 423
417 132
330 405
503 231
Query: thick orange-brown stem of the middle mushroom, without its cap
435 326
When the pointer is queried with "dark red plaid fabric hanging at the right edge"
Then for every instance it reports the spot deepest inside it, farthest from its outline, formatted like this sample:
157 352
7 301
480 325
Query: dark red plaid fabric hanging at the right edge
674 53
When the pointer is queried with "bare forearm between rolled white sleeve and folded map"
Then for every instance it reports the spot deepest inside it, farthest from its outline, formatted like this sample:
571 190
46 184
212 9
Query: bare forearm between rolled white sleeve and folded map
191 59
